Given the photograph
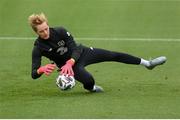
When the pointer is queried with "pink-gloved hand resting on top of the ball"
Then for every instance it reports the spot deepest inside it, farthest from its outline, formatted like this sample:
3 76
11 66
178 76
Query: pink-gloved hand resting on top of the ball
67 68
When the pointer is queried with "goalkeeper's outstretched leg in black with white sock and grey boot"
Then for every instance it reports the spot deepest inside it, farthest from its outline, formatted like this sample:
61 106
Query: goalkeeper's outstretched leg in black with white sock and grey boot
100 55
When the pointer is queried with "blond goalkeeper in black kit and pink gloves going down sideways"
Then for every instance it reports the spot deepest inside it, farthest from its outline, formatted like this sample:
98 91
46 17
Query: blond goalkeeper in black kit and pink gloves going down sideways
58 45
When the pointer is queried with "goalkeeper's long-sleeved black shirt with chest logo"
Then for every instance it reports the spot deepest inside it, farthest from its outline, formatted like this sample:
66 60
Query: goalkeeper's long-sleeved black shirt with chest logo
59 48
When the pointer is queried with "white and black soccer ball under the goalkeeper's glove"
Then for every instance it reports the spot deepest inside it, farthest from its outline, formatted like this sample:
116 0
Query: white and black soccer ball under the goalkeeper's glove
65 82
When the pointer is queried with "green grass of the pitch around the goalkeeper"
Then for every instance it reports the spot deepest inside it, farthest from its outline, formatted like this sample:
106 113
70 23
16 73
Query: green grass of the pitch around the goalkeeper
130 91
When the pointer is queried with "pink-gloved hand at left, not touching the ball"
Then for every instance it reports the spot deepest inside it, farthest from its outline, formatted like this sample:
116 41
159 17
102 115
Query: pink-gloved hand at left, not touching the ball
47 69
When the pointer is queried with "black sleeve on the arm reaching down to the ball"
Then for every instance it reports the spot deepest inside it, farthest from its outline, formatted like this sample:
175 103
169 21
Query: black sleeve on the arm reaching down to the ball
71 44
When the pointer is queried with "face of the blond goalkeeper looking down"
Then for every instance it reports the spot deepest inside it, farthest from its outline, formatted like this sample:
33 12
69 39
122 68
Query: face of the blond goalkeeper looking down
43 30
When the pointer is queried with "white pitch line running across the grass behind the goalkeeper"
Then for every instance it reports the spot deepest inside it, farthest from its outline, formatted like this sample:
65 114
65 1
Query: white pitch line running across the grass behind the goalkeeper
102 39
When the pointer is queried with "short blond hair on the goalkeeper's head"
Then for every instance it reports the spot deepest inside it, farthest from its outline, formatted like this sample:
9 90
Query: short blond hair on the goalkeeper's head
37 19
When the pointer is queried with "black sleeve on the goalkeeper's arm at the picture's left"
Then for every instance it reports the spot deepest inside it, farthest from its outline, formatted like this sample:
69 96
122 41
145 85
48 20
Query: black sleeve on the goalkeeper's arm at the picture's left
36 62
